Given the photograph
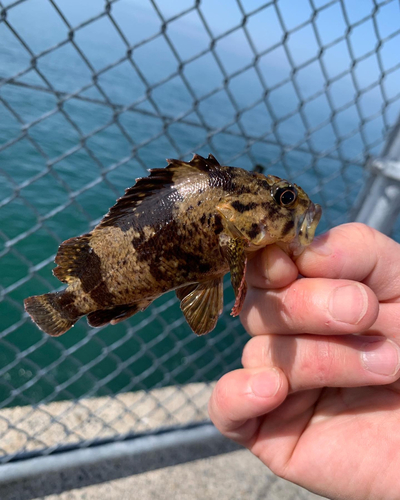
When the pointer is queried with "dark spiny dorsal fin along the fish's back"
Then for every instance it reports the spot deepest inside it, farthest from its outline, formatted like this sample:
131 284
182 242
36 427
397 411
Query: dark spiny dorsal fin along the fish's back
148 190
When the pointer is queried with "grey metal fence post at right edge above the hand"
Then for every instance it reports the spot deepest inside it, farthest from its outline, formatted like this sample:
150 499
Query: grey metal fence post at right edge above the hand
379 203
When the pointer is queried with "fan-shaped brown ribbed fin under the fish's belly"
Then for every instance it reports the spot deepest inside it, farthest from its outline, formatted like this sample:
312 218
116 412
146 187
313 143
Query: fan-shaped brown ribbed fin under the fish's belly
201 304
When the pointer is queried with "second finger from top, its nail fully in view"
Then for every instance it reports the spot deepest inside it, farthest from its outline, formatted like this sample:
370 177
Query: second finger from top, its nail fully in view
310 305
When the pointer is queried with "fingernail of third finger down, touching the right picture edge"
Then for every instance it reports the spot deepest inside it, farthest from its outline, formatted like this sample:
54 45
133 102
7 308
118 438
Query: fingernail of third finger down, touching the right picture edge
382 358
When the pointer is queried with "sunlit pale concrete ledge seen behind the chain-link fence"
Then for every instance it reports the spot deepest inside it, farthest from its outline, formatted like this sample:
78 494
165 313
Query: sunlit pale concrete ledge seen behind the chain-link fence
25 429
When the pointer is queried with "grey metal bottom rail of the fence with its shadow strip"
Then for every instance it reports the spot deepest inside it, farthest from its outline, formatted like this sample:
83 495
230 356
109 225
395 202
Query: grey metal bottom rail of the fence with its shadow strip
41 476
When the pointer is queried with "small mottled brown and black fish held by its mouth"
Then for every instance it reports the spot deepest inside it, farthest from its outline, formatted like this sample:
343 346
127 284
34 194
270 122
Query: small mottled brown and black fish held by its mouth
182 228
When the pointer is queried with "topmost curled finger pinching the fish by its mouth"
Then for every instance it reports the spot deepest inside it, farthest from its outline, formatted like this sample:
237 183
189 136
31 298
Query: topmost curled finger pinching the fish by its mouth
355 252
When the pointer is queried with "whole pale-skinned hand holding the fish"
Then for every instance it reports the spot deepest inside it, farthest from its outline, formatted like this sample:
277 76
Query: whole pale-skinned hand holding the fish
318 397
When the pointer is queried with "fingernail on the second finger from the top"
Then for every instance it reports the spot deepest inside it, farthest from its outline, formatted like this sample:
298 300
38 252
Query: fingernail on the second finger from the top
348 304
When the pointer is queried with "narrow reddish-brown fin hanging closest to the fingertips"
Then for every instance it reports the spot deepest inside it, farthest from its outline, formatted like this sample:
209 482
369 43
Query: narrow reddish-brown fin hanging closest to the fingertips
234 252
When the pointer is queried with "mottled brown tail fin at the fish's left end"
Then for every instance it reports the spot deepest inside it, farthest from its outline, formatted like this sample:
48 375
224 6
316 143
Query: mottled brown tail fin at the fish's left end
47 312
